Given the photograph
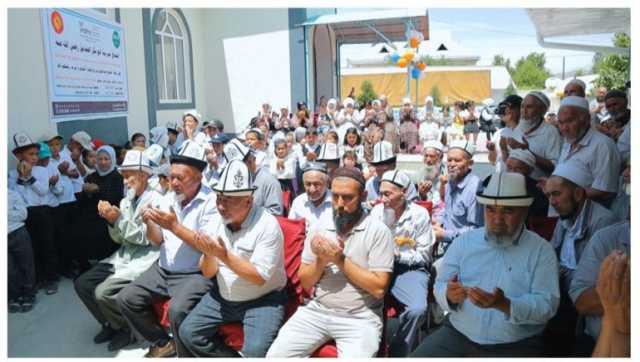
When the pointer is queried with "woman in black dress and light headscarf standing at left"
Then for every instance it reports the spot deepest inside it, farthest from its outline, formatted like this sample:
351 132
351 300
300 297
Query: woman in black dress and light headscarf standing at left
90 234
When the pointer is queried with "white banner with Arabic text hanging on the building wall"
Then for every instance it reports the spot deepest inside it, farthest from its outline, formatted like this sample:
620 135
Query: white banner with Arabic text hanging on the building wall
86 66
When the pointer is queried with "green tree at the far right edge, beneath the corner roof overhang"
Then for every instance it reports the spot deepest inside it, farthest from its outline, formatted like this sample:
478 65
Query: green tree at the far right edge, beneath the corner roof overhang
613 69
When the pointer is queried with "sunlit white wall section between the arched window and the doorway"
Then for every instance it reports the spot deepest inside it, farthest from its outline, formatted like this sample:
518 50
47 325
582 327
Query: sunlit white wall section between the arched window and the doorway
247 63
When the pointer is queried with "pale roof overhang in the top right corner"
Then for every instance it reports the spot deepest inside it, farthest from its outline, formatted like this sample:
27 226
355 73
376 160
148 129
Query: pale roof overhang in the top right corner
563 22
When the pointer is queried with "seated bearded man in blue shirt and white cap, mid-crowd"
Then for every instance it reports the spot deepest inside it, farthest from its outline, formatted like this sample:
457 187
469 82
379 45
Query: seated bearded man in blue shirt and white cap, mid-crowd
461 211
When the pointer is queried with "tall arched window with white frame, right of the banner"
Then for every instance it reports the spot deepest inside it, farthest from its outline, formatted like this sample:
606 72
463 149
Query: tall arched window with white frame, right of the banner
171 45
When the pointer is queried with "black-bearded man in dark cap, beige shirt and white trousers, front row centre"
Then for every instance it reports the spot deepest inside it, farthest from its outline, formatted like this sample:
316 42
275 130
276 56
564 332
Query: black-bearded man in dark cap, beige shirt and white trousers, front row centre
348 259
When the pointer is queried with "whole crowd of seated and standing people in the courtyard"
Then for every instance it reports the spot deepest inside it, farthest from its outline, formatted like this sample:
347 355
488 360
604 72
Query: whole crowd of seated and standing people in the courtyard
190 213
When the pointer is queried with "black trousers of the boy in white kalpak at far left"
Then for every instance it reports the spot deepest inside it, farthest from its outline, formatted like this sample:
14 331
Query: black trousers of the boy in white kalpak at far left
41 227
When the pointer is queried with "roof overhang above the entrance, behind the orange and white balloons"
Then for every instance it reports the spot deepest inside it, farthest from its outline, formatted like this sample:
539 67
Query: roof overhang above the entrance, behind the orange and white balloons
374 26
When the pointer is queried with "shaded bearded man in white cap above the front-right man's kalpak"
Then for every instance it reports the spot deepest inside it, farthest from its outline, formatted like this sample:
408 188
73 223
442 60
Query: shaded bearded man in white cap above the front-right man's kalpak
536 135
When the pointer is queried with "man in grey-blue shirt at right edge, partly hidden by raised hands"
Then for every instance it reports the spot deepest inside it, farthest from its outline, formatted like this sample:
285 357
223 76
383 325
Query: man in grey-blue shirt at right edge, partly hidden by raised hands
583 286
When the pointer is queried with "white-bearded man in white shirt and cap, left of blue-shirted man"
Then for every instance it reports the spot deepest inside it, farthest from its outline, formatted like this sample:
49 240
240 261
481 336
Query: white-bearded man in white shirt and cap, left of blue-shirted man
428 178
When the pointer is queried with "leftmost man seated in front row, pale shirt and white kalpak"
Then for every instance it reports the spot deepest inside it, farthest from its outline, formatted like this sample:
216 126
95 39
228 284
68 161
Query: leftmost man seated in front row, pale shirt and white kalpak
98 288
